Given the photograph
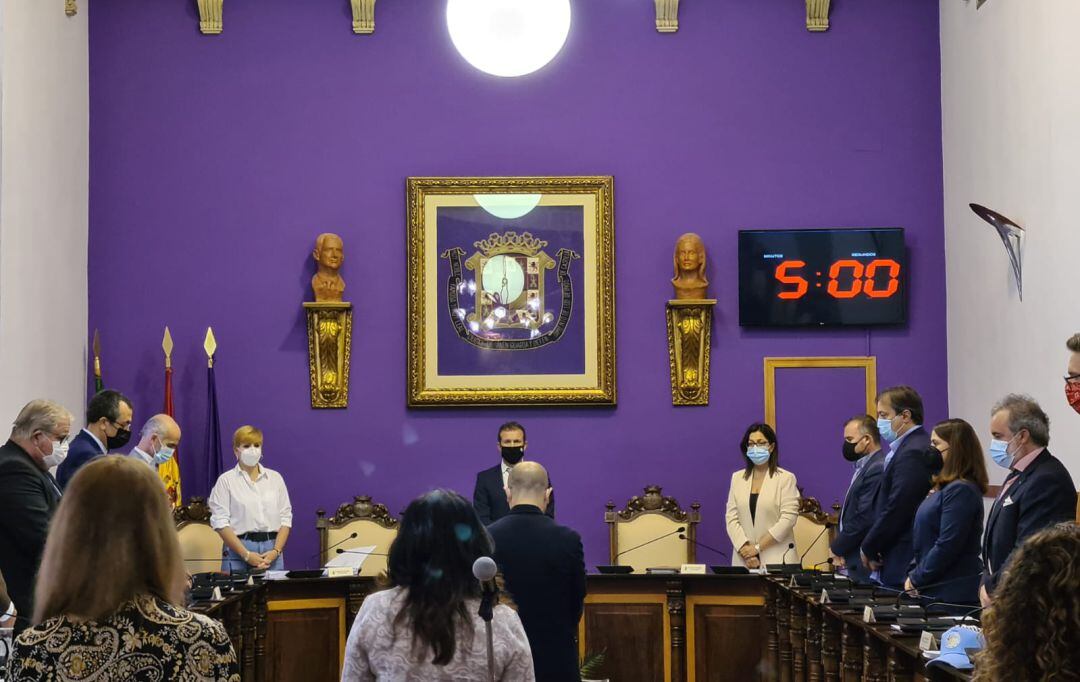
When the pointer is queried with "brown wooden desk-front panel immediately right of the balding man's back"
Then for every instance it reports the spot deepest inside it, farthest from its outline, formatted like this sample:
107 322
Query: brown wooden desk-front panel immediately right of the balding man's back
632 631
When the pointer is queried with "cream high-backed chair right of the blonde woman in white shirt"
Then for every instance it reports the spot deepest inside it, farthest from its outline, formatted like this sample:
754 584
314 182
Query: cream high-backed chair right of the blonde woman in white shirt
371 521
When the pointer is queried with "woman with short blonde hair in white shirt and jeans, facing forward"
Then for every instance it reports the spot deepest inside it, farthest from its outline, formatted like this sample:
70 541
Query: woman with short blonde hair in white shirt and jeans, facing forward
250 509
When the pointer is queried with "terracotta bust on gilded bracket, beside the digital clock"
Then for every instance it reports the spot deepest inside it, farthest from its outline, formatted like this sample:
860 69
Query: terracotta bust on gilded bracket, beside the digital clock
690 325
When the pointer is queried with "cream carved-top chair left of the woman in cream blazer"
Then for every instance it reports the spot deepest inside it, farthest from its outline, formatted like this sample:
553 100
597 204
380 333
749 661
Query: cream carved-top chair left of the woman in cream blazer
646 518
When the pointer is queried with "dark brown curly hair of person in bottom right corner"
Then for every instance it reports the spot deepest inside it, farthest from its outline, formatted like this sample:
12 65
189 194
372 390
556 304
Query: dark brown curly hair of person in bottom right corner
1032 628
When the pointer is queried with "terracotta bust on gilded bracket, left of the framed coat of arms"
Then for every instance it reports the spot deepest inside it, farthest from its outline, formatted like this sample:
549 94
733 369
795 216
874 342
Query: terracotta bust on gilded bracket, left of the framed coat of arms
330 327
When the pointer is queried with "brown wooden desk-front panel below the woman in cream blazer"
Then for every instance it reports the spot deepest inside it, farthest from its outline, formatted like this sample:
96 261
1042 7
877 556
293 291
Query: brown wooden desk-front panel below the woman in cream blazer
724 639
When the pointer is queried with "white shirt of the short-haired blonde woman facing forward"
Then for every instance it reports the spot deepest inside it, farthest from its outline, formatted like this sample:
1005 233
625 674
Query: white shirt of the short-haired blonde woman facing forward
248 506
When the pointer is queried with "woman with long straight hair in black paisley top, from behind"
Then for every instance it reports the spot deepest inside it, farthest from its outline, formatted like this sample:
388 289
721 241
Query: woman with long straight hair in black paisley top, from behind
111 589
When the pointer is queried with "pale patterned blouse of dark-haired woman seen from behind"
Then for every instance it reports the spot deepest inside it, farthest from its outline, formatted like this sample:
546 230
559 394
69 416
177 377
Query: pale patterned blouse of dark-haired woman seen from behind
377 650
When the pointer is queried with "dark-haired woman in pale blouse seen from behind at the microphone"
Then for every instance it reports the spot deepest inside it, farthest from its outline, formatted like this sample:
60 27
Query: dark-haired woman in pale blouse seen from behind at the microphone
426 627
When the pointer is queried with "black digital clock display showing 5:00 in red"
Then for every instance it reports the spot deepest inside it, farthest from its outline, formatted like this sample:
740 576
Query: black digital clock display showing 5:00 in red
822 277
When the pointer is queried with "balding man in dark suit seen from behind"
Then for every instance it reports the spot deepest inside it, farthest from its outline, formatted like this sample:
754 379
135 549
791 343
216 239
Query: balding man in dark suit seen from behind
545 569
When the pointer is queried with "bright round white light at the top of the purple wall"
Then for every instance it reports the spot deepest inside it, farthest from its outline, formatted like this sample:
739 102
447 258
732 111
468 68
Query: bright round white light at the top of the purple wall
508 38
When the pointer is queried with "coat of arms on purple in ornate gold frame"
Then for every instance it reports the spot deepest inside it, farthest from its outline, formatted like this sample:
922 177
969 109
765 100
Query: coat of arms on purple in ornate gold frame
511 291
